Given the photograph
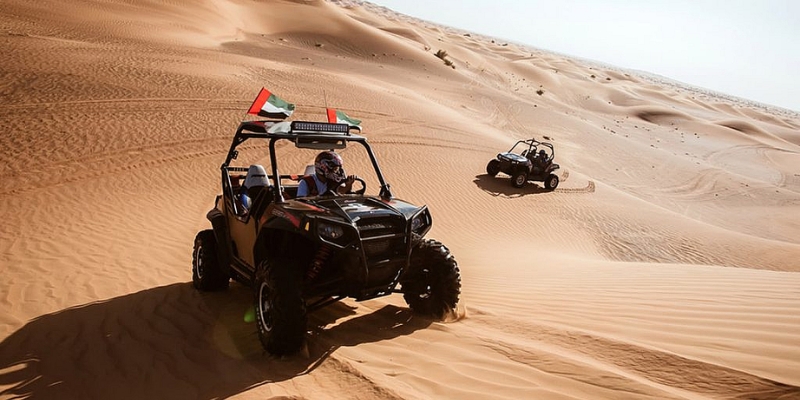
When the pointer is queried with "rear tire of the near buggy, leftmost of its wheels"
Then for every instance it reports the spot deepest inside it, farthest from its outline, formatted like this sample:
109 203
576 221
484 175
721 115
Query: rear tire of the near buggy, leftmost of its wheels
206 271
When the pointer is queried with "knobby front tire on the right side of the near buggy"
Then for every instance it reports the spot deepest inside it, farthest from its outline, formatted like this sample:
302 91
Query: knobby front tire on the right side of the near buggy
432 284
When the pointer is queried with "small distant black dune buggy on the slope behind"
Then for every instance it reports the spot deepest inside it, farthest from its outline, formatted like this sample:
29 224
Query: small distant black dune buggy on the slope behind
528 160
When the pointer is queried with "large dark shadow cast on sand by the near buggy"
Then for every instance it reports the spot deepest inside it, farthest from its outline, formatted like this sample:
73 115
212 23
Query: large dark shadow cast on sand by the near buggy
171 342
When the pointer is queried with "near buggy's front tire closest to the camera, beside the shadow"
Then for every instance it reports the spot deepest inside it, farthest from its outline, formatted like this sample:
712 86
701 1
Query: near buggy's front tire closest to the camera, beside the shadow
280 307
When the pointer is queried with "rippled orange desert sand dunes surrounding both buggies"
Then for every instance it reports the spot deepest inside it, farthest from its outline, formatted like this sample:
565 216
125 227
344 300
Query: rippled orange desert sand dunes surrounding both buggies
666 265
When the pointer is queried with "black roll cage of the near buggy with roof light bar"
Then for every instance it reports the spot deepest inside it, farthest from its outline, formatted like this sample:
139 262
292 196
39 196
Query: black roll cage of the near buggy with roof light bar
304 134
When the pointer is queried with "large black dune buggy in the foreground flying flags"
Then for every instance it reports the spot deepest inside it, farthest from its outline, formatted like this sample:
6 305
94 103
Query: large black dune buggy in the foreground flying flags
301 254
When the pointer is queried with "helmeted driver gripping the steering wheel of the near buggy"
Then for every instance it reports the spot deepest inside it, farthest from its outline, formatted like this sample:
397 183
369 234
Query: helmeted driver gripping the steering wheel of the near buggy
328 170
